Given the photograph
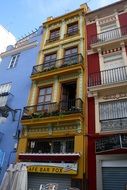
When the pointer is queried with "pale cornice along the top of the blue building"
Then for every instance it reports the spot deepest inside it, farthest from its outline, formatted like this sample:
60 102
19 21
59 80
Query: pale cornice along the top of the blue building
19 49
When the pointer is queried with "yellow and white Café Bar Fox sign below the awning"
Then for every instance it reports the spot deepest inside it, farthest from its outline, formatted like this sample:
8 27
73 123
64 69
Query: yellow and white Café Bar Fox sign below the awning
56 168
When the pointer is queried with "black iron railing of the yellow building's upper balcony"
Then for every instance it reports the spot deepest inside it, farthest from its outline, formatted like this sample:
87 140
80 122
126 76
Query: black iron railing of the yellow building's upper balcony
59 63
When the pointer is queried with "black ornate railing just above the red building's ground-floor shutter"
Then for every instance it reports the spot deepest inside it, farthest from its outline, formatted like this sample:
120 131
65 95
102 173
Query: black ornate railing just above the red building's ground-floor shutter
111 143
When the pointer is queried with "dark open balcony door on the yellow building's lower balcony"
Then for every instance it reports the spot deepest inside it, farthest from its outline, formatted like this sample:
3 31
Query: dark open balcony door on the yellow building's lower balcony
68 96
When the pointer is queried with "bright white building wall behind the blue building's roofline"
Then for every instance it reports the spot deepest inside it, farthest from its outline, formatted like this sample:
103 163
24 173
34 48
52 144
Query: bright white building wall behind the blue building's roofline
6 39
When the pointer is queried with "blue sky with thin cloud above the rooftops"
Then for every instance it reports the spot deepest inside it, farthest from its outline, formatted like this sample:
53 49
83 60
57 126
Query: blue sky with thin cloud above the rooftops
21 17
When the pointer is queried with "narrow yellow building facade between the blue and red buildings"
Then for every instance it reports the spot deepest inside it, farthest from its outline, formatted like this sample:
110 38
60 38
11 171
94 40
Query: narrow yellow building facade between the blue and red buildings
52 143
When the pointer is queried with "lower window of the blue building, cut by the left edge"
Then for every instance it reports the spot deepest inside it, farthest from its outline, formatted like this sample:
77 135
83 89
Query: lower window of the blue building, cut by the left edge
4 92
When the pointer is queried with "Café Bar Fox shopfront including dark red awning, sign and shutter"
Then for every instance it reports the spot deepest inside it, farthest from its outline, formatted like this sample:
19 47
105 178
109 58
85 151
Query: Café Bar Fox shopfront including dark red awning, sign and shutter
42 173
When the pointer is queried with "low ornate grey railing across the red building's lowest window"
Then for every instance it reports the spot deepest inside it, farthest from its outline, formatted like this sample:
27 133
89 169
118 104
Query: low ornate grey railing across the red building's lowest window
114 124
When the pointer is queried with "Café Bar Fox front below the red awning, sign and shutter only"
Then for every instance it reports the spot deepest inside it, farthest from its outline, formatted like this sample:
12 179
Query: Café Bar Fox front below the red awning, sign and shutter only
63 175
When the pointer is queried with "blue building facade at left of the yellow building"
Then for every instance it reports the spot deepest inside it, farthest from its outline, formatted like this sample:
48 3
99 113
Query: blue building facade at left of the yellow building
15 70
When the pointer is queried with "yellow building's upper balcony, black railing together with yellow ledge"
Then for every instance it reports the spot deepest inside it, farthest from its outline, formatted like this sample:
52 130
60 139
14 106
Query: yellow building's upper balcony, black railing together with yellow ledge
59 66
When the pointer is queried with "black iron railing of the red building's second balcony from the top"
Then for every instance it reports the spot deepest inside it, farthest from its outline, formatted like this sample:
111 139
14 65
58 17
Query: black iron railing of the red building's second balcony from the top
108 76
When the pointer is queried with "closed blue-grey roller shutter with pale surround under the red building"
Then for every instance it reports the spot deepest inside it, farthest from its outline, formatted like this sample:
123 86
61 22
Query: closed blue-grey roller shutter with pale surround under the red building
111 172
